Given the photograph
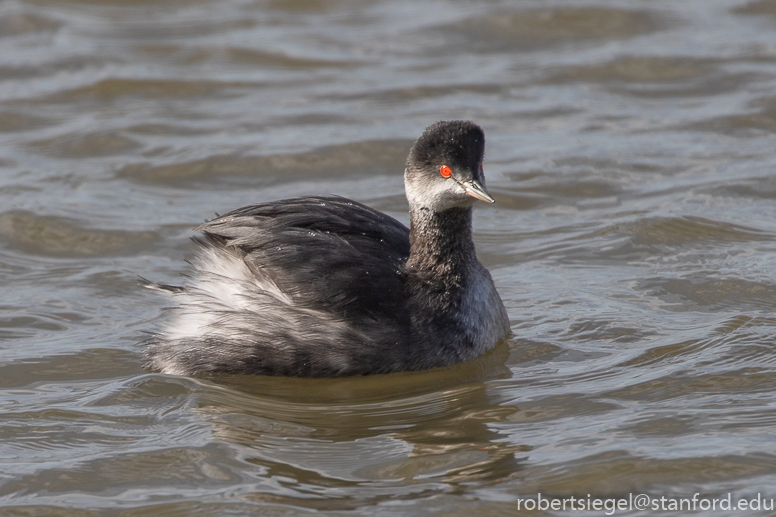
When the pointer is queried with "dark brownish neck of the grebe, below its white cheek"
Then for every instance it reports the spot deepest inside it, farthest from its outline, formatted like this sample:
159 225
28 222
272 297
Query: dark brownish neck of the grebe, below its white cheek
441 245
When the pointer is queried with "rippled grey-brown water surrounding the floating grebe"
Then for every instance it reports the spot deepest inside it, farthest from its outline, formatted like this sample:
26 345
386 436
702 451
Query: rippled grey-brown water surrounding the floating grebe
631 151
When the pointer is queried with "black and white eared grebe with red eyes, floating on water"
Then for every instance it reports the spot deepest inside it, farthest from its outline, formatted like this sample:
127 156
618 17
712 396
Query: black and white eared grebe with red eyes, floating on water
325 286
